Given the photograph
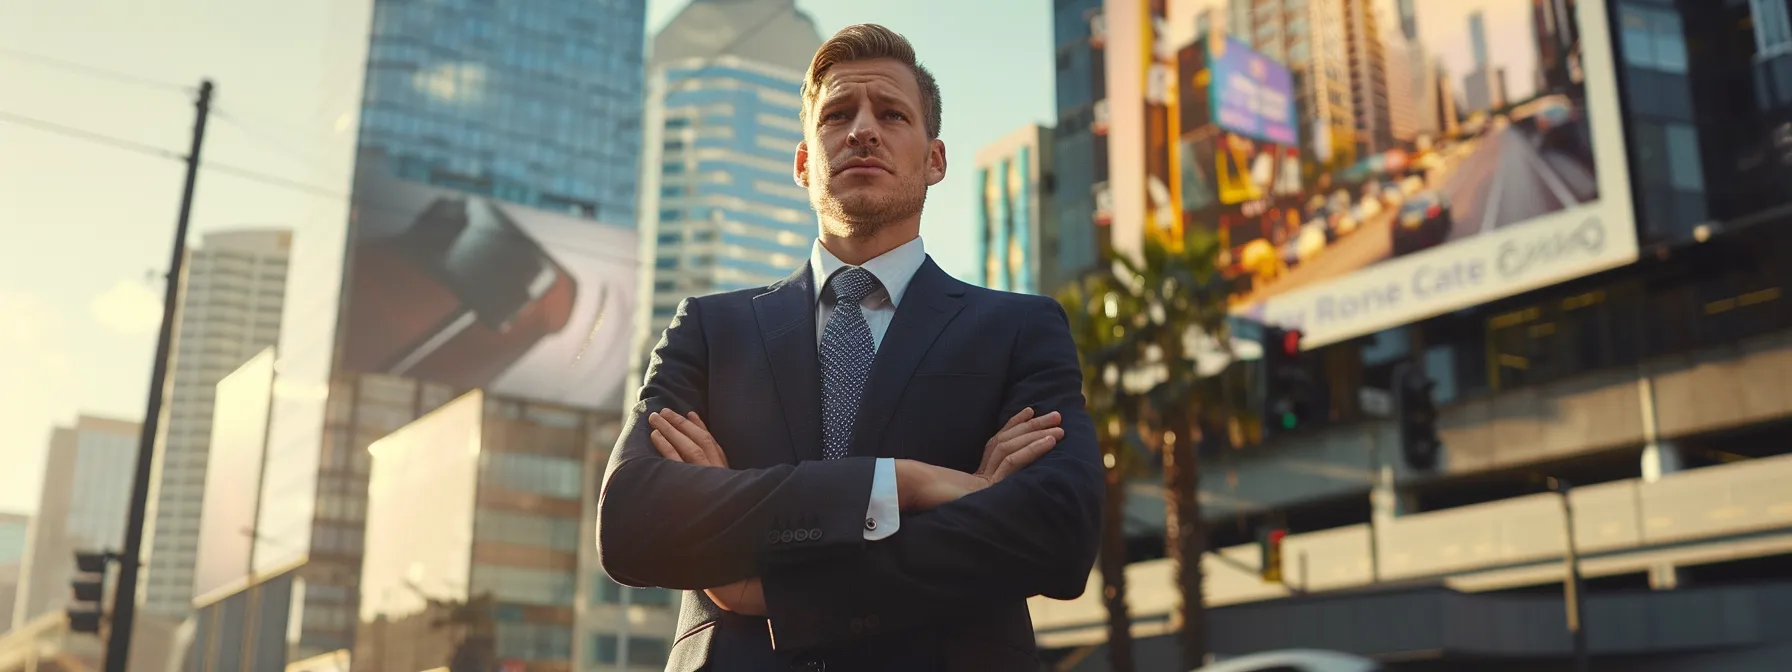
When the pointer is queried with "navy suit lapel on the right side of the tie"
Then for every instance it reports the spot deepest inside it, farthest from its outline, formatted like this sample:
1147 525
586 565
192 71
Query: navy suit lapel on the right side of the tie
926 311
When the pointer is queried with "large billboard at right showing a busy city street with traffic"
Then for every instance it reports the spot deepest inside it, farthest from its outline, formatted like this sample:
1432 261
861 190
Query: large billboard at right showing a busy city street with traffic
1366 164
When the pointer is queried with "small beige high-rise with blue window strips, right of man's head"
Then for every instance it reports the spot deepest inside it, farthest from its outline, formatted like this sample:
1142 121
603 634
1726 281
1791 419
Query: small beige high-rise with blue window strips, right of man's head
1017 232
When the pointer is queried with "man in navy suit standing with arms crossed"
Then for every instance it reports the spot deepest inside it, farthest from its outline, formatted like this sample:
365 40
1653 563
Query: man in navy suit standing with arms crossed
868 465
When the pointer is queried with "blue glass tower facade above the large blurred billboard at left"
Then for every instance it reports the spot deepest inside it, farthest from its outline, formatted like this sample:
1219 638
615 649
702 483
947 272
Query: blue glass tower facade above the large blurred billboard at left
531 103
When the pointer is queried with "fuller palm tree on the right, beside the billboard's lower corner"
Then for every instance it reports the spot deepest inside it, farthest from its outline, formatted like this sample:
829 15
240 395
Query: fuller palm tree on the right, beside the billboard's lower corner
1171 298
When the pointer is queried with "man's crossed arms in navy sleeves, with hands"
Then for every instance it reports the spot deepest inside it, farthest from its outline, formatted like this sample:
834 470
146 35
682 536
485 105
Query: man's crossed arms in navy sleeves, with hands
696 526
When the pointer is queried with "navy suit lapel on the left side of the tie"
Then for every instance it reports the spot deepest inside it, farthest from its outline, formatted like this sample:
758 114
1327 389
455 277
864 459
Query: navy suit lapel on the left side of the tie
788 329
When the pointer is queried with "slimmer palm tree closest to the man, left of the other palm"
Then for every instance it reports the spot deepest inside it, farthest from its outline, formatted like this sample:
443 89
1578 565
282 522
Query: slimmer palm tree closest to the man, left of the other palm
1098 325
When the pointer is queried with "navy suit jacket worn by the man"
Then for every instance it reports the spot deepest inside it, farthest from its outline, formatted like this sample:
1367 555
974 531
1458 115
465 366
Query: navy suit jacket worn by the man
949 590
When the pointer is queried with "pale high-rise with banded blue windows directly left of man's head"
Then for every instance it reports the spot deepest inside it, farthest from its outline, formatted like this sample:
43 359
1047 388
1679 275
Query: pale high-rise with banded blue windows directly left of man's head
719 211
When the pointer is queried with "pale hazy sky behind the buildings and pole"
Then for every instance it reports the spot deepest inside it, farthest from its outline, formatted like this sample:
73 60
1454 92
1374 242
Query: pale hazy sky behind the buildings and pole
87 228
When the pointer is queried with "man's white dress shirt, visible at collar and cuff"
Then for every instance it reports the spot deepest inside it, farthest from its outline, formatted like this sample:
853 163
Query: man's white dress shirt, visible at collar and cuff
893 270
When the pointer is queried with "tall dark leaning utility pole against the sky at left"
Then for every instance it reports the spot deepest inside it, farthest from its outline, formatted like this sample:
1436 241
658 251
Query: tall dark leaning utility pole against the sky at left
132 558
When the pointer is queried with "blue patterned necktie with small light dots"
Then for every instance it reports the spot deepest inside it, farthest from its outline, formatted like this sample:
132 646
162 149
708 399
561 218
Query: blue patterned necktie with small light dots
847 354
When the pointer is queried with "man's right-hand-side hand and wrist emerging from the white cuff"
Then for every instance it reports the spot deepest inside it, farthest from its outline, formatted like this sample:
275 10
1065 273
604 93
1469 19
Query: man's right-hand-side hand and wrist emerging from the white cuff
924 487
